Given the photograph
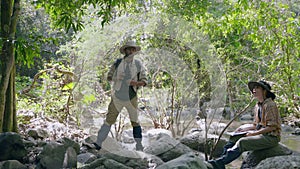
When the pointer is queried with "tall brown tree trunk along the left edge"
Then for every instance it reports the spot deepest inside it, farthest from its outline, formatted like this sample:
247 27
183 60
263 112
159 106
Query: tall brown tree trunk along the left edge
10 10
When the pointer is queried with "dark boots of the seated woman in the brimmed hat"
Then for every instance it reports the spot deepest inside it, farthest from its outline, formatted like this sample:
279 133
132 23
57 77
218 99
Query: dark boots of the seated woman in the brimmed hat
230 155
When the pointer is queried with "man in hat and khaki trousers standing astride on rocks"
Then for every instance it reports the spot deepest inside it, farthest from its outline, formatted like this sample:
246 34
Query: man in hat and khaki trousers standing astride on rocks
127 75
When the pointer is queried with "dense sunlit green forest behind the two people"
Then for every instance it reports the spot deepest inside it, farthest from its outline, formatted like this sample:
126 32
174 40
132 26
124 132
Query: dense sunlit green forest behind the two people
55 54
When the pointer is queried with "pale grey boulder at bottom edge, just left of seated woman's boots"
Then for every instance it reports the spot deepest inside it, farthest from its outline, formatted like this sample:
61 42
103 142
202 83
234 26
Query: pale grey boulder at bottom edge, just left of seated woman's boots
186 161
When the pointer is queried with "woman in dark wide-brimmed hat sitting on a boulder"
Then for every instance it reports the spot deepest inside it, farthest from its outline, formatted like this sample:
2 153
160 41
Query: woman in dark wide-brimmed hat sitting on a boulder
265 131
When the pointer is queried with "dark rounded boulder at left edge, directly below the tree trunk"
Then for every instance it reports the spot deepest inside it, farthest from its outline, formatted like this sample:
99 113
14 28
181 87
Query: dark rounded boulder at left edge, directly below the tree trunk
11 147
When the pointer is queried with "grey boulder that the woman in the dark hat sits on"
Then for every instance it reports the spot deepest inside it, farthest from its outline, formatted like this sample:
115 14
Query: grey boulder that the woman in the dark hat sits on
253 158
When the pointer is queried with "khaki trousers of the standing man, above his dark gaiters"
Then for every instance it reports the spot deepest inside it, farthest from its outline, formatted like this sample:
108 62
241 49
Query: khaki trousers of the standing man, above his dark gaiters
115 107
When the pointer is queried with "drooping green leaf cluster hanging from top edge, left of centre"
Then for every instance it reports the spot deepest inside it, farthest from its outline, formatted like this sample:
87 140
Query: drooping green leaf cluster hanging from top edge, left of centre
70 14
